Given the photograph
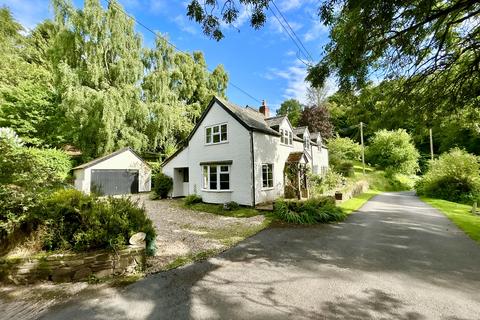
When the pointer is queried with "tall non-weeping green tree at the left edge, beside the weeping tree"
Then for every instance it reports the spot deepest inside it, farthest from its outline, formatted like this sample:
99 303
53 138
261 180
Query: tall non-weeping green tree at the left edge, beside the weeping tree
27 96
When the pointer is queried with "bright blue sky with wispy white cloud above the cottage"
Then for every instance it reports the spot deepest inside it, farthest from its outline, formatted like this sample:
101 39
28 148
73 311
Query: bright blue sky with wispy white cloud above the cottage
262 62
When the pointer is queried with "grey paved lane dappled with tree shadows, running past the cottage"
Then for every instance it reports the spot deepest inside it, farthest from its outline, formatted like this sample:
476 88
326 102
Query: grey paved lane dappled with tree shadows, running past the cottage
396 259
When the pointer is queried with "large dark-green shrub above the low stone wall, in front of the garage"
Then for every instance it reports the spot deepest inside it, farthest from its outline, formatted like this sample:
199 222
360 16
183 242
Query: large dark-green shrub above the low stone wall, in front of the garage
81 222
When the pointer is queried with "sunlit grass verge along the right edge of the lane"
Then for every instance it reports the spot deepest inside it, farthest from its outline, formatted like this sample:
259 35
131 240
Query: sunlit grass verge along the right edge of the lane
460 214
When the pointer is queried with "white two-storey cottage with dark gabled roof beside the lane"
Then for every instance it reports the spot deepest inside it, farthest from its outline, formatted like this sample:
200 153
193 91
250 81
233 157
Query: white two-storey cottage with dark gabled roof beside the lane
240 154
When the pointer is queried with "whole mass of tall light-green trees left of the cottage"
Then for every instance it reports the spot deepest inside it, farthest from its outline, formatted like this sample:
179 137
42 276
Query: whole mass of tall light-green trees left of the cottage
86 79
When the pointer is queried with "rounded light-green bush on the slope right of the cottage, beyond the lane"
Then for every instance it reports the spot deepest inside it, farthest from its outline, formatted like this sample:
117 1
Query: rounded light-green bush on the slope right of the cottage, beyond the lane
393 151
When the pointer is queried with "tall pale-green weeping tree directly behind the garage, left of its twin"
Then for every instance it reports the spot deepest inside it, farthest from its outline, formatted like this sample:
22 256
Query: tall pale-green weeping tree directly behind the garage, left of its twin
98 68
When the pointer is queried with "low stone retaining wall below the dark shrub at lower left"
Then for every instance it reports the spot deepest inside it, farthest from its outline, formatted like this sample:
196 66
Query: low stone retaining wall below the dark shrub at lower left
73 267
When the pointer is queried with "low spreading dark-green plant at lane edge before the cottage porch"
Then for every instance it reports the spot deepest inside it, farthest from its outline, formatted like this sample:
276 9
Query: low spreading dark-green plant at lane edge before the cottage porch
315 210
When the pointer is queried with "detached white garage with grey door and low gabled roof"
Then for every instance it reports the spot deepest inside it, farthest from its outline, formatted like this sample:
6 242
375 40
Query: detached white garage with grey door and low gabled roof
121 172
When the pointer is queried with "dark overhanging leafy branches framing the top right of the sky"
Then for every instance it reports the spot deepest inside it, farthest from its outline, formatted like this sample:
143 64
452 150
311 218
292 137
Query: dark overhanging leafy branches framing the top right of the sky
433 45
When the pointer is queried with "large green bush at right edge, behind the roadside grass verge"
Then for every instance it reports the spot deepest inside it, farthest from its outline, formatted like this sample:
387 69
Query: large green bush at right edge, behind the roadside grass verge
455 176
